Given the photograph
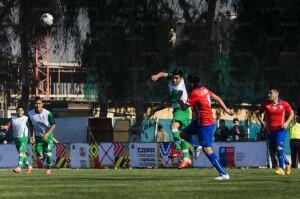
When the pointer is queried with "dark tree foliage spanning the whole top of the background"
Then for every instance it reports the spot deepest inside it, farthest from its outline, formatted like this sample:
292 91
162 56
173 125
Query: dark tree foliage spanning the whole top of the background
128 41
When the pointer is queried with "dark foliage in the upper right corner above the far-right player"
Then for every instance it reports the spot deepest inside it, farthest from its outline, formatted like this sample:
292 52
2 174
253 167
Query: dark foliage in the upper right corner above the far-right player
265 48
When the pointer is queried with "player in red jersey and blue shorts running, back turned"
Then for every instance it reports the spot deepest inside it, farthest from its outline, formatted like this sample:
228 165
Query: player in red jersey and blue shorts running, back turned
204 124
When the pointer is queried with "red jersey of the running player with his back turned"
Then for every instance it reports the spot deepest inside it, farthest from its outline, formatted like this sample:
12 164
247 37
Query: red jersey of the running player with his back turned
200 101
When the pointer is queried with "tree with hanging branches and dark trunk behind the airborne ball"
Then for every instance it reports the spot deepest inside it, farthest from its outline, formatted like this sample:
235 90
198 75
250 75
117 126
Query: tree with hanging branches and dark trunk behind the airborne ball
27 30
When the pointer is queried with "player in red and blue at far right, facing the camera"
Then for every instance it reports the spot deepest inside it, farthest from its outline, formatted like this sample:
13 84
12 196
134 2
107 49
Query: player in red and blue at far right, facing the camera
275 111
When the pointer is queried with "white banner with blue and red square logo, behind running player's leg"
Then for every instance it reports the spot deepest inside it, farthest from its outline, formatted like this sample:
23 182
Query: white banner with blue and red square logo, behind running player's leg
237 154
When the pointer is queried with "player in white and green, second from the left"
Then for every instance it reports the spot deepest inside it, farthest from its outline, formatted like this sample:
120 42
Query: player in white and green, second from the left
43 124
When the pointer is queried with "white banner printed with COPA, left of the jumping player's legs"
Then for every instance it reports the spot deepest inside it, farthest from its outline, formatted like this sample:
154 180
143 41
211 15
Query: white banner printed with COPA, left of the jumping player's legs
143 154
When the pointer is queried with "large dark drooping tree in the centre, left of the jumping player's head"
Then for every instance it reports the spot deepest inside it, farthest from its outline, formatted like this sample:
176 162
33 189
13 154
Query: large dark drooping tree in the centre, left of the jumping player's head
124 47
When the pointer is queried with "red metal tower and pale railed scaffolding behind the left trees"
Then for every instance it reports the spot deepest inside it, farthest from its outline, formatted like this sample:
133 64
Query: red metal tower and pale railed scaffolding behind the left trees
60 81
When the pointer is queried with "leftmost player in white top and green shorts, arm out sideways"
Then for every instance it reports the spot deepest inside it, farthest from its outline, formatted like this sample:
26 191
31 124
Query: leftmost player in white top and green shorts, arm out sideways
19 125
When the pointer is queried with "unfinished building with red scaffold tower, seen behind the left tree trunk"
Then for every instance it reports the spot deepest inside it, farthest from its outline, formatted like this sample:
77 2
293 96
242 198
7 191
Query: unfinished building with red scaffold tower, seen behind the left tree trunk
58 83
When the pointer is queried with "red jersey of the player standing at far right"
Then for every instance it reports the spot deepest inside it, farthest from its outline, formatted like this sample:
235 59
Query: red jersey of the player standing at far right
275 113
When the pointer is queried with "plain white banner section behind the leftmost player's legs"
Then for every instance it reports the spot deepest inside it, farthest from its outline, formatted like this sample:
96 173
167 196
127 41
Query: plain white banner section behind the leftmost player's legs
9 155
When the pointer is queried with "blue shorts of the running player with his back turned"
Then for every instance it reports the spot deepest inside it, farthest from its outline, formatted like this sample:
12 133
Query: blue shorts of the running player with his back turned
204 133
